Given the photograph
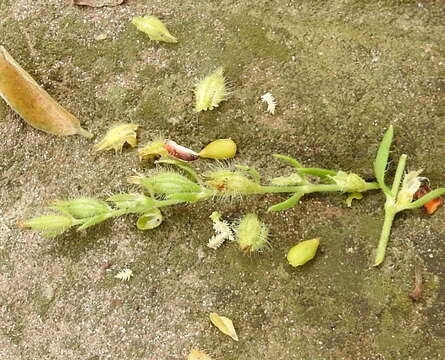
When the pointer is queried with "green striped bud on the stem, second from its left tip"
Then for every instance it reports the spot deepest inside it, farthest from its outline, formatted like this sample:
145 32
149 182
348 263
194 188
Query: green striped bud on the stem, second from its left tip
81 208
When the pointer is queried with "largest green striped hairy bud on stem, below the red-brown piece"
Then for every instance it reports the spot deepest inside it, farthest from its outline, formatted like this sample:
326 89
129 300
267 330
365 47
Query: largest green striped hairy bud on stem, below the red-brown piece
167 183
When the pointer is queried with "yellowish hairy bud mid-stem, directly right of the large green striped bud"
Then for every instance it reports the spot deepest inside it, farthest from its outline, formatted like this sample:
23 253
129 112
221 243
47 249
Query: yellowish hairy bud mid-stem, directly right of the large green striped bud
231 183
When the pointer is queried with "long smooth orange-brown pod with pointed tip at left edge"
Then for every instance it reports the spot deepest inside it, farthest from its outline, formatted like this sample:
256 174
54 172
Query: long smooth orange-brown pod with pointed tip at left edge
32 103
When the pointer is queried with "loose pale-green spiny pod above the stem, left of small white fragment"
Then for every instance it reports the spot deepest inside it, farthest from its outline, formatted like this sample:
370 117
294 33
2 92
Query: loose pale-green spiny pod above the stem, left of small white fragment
210 91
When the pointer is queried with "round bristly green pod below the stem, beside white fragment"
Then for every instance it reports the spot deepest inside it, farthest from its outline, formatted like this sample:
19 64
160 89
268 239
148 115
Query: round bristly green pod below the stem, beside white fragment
251 233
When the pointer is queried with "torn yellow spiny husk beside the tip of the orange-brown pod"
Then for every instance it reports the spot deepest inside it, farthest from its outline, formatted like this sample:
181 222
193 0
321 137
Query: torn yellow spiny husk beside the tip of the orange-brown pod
117 136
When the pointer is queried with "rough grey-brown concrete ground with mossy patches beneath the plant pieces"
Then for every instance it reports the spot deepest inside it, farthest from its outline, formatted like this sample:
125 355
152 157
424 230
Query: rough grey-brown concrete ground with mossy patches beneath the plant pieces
341 71
